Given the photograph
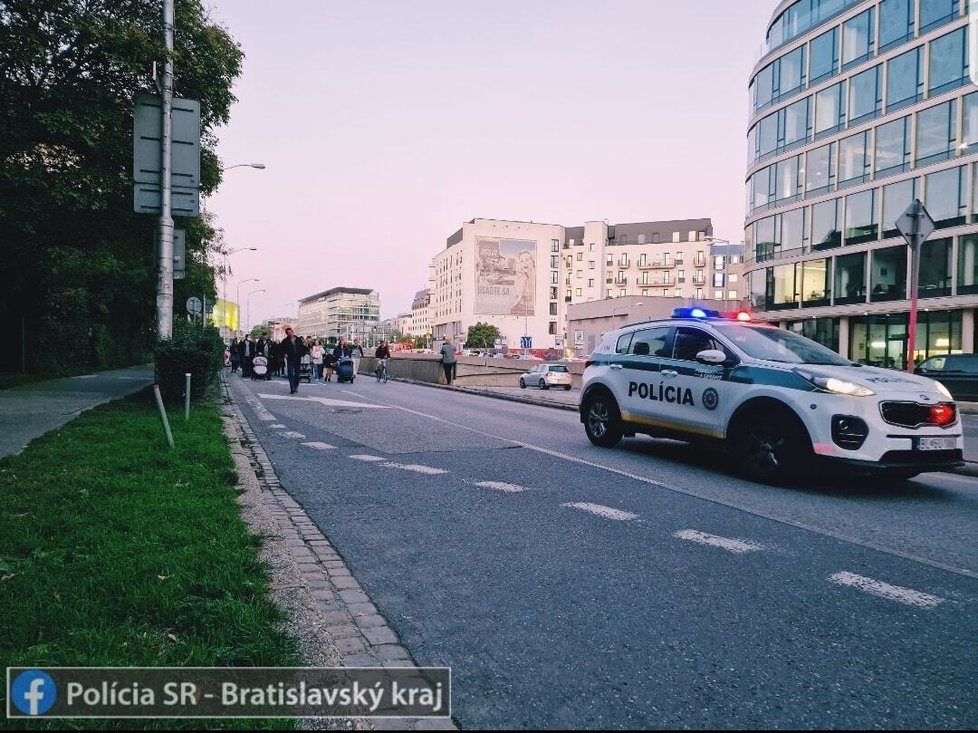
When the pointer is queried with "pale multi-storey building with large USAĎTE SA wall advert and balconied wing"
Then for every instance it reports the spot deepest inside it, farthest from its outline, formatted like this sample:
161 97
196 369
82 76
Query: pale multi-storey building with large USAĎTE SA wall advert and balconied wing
521 276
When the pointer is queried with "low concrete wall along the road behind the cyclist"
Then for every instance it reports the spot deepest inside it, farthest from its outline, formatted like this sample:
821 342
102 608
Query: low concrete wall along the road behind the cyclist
472 371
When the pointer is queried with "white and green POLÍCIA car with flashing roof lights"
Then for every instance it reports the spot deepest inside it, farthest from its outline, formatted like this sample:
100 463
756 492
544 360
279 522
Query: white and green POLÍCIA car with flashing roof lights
778 401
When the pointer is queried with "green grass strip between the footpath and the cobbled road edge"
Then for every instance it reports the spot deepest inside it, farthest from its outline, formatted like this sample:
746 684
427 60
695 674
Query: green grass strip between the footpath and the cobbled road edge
117 551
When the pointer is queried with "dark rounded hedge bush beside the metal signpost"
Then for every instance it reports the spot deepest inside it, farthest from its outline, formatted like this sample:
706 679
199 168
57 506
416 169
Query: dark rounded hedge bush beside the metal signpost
199 351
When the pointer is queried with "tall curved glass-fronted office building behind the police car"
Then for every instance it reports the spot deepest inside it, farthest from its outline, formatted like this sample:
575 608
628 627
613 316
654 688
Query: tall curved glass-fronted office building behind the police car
858 107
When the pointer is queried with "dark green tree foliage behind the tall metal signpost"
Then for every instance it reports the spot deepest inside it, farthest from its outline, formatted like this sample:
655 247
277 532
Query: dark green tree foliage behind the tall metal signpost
82 263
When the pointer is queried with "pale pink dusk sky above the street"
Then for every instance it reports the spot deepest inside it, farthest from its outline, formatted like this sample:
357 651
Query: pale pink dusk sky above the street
385 124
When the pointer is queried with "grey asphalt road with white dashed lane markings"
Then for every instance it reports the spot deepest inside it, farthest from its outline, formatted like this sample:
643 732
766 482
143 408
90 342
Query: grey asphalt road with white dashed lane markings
570 586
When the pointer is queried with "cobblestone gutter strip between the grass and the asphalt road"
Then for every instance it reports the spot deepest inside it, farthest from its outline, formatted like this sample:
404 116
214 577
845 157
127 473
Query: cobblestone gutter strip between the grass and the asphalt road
328 611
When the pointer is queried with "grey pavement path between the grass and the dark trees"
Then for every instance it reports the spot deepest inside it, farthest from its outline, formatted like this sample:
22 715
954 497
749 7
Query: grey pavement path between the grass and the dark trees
30 411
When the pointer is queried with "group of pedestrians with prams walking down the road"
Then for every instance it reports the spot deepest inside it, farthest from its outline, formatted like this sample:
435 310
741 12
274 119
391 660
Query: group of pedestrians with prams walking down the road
286 357
